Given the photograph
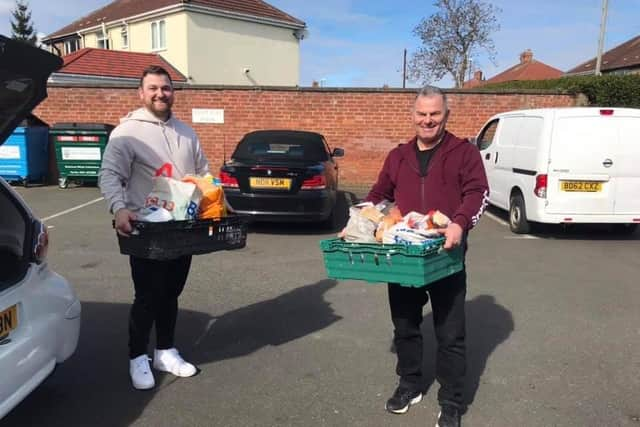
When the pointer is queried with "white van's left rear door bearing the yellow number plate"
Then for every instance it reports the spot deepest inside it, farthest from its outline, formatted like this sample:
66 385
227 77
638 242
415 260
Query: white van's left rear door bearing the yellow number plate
584 161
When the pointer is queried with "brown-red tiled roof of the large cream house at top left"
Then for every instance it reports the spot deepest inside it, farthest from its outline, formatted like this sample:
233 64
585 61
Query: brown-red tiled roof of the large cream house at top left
122 9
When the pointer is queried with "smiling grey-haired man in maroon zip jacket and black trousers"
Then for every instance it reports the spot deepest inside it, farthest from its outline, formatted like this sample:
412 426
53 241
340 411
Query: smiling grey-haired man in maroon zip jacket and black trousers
434 170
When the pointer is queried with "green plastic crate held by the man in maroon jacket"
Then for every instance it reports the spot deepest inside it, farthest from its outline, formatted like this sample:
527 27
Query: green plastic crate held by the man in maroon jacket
408 265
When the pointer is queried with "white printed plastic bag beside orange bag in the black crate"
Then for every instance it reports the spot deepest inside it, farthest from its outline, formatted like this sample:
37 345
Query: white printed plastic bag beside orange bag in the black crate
180 199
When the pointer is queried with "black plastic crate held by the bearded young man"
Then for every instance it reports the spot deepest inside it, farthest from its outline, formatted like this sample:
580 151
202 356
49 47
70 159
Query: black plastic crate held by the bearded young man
173 239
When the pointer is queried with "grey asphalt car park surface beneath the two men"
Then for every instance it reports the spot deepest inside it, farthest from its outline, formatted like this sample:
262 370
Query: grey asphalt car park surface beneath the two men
553 332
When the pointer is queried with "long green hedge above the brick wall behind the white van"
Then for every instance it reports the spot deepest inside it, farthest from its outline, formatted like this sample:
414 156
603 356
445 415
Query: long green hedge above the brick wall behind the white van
602 91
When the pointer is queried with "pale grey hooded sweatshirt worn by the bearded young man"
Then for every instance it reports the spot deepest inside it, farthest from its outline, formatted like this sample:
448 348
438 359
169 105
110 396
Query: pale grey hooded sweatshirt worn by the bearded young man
141 147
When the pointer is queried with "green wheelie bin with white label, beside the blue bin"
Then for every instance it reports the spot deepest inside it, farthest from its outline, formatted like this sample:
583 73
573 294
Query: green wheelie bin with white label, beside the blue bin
79 148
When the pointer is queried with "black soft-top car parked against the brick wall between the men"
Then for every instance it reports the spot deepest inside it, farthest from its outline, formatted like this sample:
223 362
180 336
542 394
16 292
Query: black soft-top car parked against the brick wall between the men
283 175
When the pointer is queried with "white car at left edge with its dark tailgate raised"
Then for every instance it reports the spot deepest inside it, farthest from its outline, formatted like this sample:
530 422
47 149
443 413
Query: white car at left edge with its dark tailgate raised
39 311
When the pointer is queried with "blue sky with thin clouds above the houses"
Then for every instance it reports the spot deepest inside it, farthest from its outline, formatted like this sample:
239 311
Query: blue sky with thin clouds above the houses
360 42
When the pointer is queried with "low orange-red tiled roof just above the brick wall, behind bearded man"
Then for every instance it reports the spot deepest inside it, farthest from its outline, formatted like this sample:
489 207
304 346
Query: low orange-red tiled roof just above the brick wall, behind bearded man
114 63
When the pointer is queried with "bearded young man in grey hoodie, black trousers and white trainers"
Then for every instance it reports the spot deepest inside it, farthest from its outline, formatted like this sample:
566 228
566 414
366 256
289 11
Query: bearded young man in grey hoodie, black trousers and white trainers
149 142
